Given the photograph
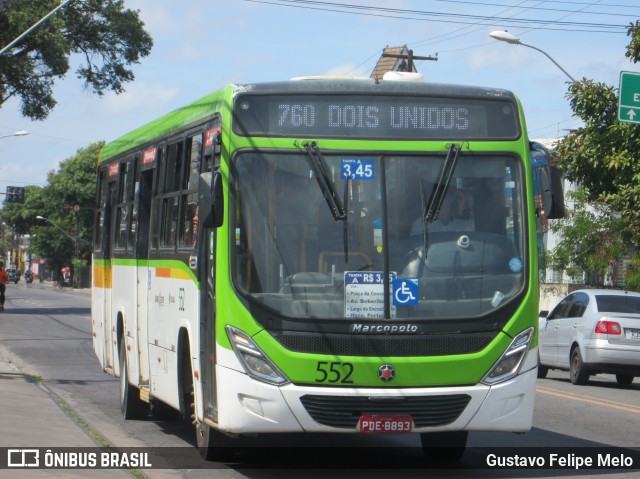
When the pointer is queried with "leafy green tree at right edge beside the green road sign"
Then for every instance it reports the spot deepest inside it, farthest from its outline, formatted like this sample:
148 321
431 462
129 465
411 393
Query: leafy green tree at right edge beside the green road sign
601 157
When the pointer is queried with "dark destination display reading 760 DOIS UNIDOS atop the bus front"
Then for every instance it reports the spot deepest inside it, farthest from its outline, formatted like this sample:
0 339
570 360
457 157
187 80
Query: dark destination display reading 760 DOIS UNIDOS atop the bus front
383 117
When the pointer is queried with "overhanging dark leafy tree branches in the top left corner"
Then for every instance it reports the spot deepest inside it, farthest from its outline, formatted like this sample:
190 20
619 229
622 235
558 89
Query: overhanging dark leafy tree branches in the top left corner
108 38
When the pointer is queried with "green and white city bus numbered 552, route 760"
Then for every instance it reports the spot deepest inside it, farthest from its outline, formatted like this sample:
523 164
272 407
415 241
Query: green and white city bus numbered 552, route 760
323 255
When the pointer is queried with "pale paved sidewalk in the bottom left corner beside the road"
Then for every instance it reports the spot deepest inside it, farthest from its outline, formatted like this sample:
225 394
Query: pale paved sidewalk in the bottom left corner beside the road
31 418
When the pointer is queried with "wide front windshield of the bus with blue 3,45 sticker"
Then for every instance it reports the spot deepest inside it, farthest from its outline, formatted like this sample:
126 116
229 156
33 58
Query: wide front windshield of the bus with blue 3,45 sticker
294 255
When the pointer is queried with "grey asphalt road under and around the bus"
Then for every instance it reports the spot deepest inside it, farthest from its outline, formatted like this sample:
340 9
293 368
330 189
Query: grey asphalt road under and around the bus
46 332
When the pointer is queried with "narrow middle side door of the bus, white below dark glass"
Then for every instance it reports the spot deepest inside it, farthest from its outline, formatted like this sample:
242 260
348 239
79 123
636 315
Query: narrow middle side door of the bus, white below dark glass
142 200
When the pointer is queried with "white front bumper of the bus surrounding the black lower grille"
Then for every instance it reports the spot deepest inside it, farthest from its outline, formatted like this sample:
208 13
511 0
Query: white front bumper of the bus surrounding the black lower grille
247 406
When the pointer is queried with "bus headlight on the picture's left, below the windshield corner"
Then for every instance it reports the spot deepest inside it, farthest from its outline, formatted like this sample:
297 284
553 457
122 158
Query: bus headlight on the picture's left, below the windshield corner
256 364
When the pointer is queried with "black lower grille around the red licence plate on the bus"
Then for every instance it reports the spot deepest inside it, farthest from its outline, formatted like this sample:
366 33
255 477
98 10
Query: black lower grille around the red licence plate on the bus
344 412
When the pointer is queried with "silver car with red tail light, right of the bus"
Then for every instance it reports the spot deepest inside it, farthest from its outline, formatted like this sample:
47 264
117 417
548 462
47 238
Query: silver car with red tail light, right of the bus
592 331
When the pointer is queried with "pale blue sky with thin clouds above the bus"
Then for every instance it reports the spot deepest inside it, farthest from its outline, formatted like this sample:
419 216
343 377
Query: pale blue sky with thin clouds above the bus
202 45
